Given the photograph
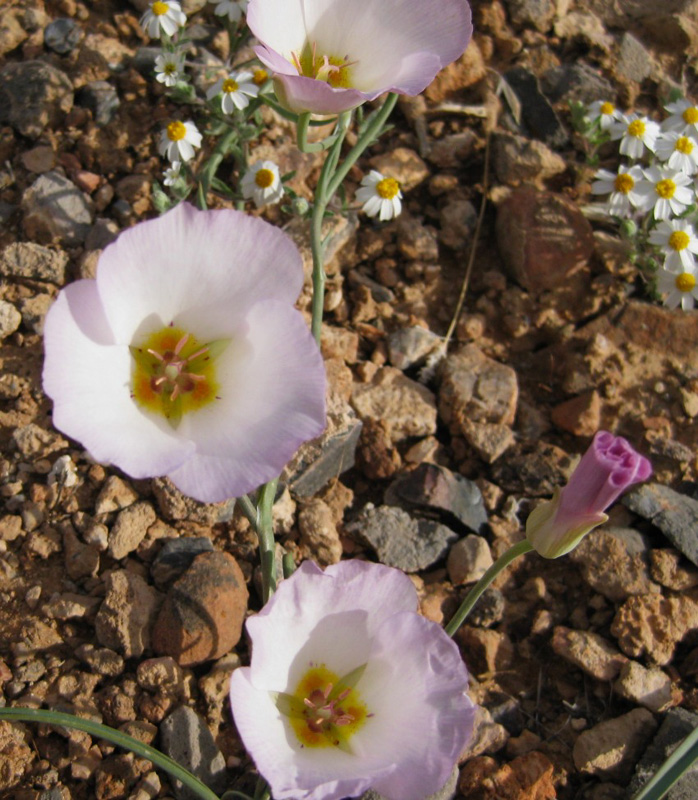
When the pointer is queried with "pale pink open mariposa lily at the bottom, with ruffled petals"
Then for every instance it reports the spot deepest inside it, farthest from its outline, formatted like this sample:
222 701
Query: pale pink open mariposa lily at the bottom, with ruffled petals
350 689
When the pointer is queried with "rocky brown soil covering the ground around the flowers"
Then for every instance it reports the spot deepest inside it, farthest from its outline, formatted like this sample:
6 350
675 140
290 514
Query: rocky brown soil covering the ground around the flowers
585 667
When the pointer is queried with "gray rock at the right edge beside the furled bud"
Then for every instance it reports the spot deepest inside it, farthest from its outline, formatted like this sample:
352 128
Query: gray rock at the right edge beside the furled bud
676 515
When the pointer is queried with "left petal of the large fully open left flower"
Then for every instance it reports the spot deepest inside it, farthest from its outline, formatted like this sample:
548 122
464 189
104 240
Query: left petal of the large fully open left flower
88 377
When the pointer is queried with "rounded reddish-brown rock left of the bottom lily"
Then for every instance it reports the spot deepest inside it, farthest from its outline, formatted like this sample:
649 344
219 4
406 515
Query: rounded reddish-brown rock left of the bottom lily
202 616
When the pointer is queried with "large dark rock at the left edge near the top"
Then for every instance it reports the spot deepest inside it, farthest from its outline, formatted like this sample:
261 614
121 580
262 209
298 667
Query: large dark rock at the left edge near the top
33 95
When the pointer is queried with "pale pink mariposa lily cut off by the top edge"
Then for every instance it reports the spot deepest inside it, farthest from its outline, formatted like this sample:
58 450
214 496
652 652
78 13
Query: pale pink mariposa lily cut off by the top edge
329 56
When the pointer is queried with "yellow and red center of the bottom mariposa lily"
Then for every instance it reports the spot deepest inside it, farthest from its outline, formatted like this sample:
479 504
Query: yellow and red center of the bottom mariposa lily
324 710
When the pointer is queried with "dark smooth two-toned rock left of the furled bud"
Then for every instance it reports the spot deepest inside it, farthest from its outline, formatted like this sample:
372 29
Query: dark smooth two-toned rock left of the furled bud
438 489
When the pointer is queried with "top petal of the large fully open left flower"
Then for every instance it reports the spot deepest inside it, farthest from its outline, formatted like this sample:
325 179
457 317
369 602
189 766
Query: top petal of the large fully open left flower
223 262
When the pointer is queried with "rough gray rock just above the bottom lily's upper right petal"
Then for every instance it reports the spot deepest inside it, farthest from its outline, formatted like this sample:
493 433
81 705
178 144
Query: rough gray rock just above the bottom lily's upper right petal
401 541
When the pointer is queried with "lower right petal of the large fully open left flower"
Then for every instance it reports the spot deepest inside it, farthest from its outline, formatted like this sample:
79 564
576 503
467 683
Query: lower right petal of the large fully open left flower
271 400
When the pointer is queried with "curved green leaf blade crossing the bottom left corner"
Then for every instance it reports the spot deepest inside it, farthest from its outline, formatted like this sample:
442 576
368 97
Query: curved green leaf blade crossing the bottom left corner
118 738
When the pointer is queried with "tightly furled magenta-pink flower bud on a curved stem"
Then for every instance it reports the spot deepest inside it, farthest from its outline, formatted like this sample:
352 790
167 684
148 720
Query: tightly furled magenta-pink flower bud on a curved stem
606 470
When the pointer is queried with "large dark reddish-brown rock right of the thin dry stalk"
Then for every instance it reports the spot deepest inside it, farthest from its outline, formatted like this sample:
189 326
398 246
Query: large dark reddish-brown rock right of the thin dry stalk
543 238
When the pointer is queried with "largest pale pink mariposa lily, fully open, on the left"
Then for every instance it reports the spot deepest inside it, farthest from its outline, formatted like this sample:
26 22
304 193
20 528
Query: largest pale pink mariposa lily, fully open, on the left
186 357
